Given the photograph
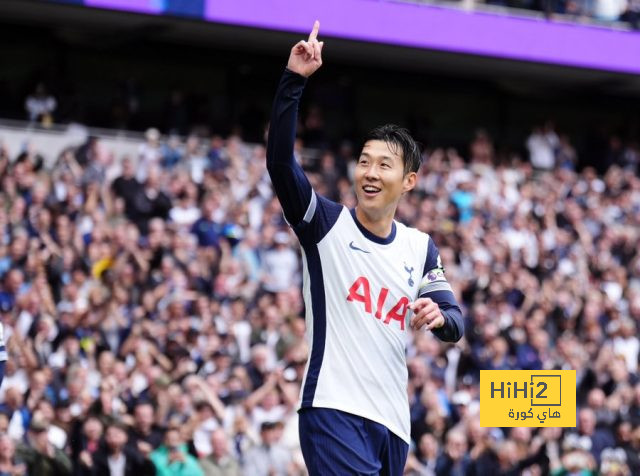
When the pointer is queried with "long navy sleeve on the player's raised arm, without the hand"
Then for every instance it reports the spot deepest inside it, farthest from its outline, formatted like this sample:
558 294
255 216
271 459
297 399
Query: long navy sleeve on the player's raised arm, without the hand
289 181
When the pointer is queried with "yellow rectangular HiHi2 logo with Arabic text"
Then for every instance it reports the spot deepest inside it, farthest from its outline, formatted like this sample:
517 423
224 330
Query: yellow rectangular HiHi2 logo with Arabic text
528 398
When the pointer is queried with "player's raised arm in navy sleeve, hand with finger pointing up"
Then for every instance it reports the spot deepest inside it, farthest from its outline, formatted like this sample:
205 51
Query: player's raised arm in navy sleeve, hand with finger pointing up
289 181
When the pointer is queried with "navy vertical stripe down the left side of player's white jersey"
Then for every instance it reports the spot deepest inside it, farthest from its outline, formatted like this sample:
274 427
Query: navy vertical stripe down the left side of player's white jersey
318 308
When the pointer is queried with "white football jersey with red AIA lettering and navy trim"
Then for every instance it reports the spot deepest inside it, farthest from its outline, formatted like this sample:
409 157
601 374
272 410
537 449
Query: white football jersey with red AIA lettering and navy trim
357 288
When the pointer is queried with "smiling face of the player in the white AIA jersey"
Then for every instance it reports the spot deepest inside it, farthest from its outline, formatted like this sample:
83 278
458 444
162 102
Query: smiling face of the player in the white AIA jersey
380 179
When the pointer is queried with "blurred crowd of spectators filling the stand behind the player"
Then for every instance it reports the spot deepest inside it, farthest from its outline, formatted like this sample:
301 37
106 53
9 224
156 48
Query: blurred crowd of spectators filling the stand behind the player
153 313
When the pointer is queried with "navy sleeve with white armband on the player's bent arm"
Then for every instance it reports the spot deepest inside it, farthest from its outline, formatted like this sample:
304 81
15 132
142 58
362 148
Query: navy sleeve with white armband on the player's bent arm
434 285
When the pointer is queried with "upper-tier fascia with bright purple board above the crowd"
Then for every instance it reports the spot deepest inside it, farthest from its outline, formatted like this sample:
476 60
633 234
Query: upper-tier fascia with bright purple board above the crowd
409 35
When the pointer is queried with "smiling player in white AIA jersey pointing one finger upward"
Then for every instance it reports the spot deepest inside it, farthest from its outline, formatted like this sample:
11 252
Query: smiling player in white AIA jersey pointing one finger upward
364 275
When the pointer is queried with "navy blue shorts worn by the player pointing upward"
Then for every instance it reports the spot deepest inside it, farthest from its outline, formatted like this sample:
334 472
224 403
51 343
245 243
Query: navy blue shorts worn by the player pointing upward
338 443
